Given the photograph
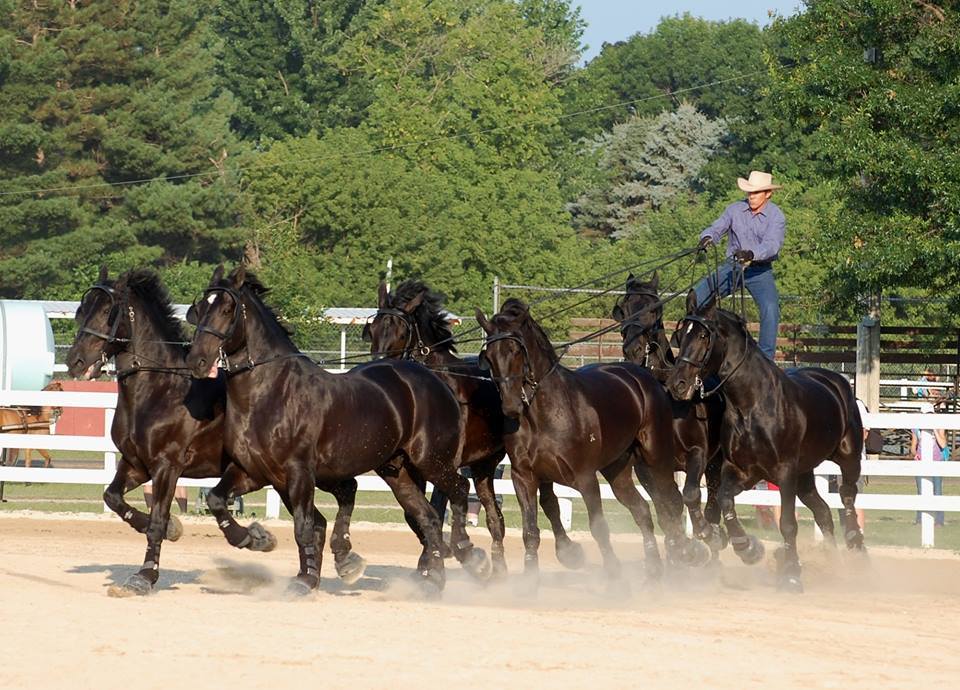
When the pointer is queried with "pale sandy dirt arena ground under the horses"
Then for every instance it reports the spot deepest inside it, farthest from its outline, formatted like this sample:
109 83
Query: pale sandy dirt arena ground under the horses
219 617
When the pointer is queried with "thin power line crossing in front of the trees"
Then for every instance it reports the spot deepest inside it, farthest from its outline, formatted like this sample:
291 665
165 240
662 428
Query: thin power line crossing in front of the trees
369 152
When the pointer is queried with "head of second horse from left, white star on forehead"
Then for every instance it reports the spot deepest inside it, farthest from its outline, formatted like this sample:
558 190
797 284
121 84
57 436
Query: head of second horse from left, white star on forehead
219 319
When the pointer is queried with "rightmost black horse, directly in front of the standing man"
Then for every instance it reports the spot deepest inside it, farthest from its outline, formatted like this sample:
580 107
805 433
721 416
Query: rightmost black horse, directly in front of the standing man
777 426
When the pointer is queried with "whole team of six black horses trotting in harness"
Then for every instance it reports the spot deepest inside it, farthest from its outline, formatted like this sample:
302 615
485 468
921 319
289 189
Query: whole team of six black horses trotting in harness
241 403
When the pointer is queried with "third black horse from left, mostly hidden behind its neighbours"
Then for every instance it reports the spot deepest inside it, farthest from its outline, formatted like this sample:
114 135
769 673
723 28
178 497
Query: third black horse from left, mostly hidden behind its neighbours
411 323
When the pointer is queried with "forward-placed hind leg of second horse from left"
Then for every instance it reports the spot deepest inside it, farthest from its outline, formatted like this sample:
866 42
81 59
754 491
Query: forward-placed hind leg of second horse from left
411 498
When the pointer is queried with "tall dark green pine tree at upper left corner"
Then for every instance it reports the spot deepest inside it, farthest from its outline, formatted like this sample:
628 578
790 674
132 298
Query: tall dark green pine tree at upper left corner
94 98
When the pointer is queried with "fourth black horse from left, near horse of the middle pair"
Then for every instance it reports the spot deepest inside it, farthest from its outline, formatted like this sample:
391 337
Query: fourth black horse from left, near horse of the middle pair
575 423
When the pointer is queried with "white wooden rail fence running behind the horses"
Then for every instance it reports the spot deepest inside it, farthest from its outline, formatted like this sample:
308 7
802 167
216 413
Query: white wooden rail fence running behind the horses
926 469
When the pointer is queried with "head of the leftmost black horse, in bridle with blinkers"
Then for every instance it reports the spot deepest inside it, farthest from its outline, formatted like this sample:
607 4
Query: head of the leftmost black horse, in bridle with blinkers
101 331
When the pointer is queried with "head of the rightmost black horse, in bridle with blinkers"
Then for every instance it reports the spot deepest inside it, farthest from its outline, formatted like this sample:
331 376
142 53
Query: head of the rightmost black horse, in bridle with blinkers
702 346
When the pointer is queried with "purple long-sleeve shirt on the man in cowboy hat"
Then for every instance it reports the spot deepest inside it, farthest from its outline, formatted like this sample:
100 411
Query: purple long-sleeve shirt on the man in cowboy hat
761 233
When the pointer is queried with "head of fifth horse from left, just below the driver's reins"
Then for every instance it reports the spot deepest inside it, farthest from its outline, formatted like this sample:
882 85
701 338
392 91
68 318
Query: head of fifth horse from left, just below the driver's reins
640 314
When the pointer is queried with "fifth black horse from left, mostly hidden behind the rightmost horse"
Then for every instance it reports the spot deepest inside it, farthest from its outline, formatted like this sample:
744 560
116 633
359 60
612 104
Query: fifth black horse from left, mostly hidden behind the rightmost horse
696 423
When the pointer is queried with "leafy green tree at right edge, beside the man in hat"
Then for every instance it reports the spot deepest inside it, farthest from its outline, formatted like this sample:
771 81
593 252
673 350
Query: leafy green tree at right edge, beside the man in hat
875 85
